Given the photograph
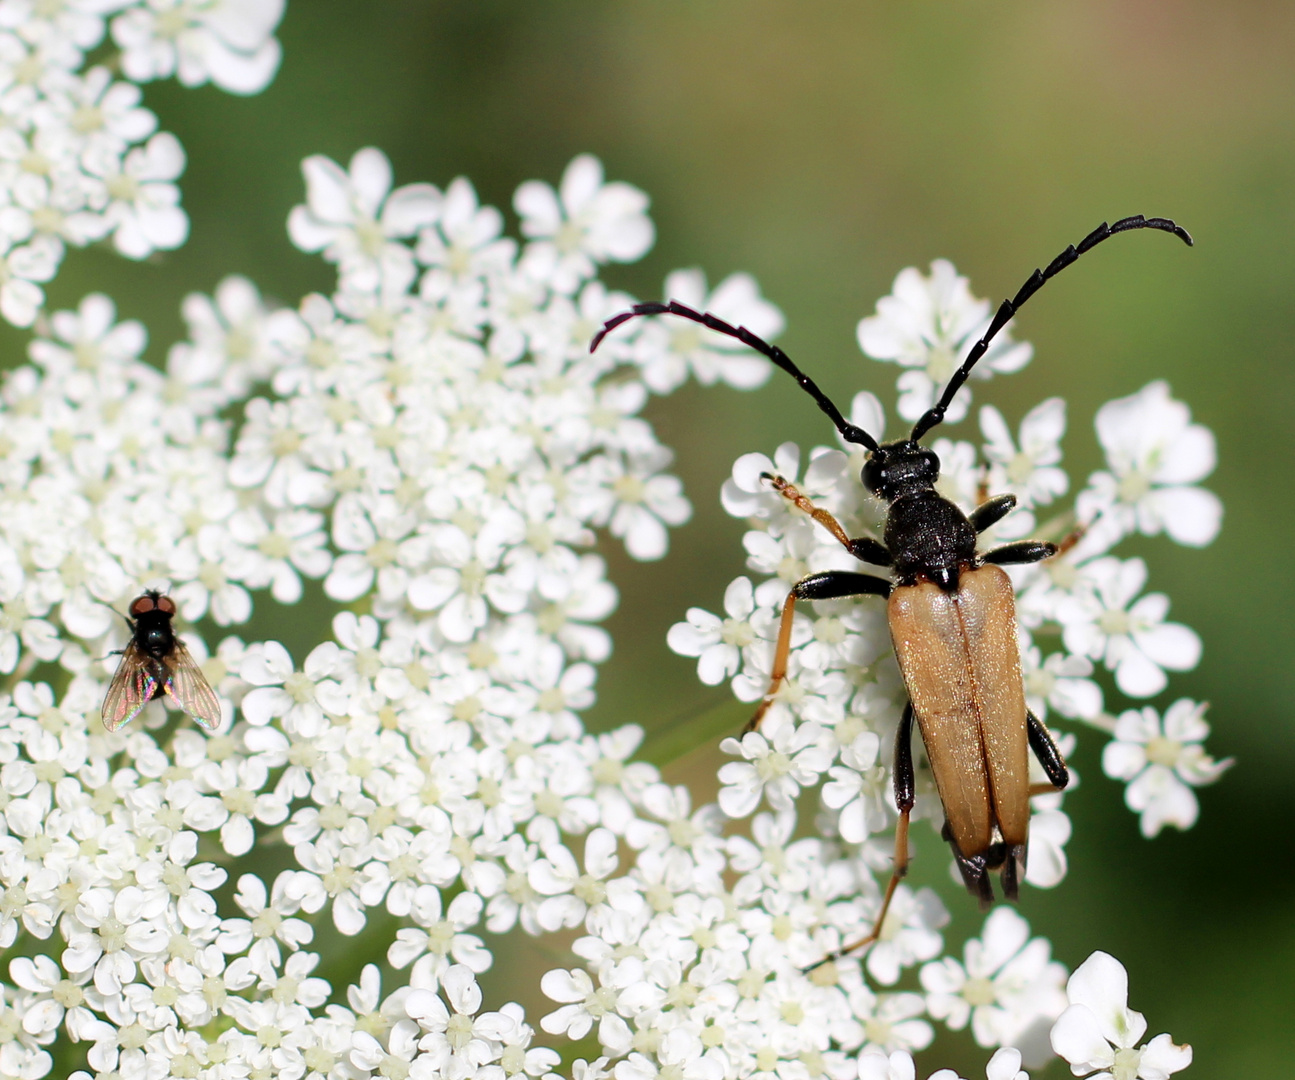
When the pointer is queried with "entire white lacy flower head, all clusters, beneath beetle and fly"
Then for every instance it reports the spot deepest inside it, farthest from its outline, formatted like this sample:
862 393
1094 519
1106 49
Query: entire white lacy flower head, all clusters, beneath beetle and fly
432 449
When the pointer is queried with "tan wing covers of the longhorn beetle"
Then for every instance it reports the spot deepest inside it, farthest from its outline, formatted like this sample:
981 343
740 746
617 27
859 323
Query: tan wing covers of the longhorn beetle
962 666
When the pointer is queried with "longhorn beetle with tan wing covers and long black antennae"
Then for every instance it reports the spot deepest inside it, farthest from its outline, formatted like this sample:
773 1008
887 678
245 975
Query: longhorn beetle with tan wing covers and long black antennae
951 613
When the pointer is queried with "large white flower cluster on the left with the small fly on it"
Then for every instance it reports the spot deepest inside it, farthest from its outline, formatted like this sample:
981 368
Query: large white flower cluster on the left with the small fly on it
438 444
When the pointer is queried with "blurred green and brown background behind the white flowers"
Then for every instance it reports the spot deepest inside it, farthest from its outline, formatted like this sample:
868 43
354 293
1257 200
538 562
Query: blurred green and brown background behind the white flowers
823 147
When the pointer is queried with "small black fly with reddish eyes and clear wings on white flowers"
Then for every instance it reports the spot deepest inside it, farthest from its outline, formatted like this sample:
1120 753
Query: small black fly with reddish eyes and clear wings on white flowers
155 664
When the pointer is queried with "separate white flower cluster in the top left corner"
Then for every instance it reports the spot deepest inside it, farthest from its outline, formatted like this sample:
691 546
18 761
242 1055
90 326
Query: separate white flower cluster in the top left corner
81 160
